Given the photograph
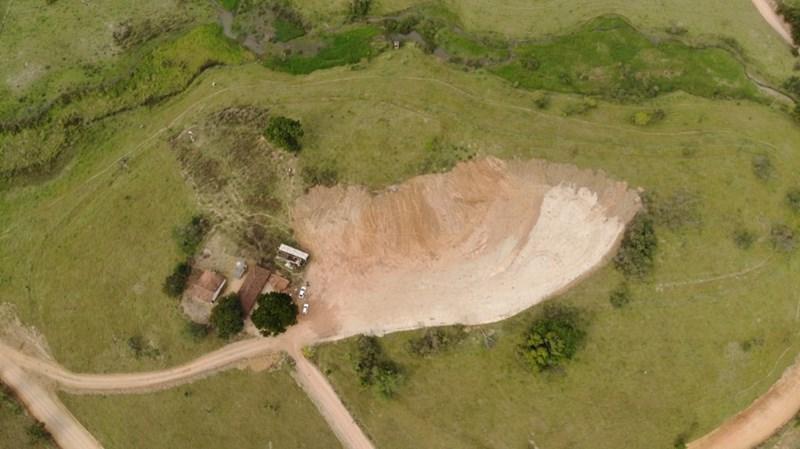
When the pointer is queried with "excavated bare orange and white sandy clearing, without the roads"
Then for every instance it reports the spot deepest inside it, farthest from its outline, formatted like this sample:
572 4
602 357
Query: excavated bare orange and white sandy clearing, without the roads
475 245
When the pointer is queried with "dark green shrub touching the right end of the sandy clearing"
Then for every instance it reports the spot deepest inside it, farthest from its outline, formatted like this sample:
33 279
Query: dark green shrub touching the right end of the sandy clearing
636 254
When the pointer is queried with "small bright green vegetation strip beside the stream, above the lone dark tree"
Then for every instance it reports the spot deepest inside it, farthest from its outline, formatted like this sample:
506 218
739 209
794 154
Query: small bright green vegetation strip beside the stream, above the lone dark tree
345 47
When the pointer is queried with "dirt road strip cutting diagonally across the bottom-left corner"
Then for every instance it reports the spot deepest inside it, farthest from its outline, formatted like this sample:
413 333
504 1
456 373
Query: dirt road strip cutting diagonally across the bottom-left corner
44 405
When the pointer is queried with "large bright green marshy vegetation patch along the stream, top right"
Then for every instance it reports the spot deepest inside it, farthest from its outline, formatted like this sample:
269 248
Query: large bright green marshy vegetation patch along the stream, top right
609 57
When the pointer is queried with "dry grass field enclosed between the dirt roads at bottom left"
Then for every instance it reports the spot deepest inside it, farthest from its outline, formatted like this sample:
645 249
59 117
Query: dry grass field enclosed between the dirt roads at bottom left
239 409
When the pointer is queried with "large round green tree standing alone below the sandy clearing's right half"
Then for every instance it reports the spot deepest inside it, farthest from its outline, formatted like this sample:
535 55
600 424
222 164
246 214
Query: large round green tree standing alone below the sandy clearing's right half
553 338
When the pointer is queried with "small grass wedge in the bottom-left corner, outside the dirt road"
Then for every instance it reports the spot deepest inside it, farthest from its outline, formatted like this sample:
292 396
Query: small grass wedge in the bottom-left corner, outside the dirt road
15 425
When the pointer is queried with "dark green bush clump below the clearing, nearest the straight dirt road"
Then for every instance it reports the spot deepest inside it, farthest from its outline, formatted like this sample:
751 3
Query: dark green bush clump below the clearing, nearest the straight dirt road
374 368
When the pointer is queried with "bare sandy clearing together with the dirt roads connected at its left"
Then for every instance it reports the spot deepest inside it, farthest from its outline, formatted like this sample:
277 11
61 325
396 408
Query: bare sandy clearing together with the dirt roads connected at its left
472 246
